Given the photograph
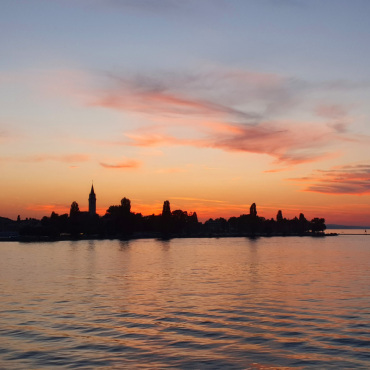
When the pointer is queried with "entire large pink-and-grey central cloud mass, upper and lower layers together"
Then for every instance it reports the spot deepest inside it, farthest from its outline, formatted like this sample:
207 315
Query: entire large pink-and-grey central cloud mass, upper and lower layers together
231 110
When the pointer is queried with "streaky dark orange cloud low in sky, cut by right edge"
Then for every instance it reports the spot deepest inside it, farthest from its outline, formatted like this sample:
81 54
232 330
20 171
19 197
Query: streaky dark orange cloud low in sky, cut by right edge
351 179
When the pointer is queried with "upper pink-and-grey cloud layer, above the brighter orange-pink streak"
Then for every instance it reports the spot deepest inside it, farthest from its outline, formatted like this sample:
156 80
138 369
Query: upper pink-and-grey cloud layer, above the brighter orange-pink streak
216 93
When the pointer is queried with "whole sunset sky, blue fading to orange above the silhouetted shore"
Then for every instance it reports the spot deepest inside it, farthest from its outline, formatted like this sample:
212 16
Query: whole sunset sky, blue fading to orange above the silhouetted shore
210 104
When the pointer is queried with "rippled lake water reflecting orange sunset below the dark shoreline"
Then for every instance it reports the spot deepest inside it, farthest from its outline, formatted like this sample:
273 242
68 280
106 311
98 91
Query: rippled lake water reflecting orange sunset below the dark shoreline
230 303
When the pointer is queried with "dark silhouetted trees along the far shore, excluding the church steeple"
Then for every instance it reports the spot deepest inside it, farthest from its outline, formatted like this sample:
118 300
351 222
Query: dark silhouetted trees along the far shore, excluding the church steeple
120 222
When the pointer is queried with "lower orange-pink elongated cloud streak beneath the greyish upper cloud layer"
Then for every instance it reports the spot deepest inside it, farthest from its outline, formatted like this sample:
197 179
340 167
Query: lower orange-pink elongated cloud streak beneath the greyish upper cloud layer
288 142
